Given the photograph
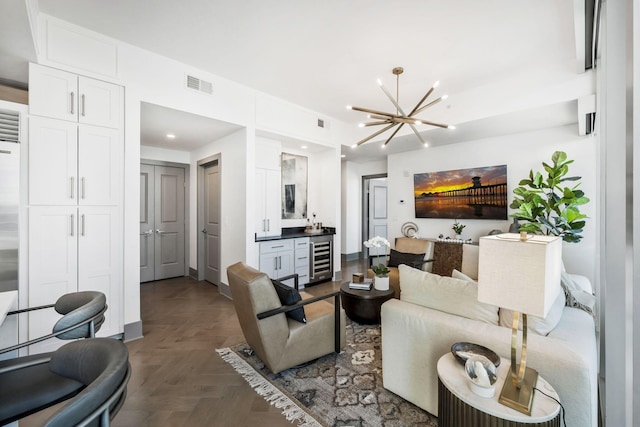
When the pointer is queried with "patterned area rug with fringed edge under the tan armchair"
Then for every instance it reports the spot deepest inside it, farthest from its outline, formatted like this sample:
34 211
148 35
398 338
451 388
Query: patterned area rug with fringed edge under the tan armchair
336 390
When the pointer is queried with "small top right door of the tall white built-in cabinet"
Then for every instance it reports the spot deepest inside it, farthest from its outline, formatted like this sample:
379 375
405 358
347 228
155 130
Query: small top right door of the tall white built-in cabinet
99 102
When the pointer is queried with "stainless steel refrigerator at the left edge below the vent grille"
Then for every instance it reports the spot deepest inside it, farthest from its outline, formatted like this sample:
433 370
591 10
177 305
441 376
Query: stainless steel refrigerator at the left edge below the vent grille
9 204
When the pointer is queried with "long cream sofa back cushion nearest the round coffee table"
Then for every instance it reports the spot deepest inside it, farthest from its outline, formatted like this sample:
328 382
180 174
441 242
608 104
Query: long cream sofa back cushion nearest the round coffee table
455 296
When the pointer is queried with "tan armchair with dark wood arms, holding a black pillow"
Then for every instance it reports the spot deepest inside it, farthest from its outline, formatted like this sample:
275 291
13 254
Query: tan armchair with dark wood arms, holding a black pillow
280 341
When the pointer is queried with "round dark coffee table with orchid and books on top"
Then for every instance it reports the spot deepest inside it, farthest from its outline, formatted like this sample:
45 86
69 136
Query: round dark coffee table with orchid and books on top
363 306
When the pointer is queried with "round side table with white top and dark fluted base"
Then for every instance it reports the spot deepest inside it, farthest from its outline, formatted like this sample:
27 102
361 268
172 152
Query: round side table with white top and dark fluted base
458 406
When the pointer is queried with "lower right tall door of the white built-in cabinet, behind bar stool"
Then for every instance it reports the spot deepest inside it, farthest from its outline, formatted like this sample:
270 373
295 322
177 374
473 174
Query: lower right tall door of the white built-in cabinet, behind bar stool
100 260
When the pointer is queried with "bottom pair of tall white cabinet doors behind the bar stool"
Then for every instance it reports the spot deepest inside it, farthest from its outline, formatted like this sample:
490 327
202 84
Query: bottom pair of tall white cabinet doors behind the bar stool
73 249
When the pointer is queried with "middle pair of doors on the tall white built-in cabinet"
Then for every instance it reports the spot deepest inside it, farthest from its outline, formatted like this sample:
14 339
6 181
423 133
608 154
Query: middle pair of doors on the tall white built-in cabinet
73 164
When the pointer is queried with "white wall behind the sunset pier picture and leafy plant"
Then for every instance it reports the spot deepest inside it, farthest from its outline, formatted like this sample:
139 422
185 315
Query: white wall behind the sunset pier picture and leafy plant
520 152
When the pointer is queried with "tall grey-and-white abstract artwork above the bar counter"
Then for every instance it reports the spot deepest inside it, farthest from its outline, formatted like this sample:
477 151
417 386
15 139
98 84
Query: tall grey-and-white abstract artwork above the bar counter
294 186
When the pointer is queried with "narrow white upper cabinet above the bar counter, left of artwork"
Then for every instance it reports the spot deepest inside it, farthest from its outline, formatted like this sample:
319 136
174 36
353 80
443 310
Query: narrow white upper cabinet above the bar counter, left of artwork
268 203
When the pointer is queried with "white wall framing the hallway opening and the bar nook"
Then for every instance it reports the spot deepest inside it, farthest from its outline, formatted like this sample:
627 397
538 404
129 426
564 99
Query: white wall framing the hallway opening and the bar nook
151 78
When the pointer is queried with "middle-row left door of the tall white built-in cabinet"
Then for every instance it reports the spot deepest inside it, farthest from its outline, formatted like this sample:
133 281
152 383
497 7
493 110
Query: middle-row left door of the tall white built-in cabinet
53 150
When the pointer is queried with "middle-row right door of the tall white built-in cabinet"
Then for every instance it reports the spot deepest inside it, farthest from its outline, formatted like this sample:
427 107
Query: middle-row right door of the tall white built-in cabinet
100 152
